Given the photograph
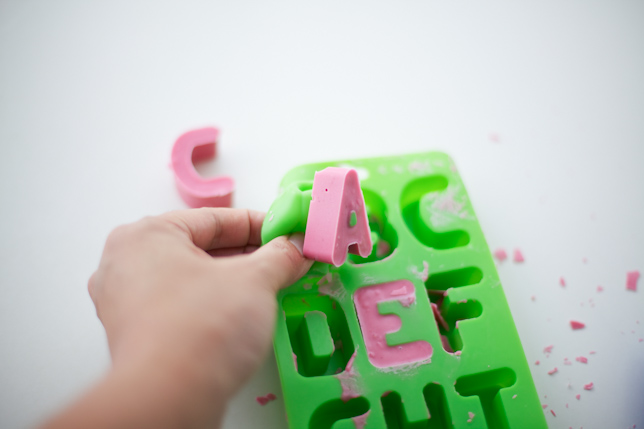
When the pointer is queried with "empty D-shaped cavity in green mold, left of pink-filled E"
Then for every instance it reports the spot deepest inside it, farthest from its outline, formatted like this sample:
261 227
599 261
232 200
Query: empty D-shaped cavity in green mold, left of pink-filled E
319 334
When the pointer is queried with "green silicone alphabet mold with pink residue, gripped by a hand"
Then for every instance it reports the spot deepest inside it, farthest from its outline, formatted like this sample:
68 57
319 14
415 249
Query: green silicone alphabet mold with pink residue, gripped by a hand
416 335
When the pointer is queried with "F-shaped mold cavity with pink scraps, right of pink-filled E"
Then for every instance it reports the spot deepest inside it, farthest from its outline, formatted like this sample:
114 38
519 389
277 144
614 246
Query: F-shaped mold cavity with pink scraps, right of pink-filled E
448 313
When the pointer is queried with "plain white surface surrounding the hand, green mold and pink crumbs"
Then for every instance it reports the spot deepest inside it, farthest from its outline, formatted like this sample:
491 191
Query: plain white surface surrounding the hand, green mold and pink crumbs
93 95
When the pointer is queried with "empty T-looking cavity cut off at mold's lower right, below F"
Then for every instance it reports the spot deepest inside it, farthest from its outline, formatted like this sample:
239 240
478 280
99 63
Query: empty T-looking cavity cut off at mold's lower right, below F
486 385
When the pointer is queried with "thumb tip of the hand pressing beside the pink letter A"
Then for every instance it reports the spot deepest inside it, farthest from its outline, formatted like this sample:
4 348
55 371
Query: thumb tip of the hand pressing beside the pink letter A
280 263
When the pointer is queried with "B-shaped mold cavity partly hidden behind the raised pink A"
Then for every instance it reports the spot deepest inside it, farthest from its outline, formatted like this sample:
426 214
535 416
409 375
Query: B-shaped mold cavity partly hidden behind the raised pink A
383 234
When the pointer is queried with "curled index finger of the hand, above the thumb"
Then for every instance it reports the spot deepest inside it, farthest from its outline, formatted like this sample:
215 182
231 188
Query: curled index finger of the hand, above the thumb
217 227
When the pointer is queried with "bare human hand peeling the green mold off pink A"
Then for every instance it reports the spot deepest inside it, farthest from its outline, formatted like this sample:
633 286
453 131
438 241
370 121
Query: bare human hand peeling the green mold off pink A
187 300
